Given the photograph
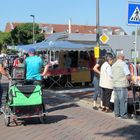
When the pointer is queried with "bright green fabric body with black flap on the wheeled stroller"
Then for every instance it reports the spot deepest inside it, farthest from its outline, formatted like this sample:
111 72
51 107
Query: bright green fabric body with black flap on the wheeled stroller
25 95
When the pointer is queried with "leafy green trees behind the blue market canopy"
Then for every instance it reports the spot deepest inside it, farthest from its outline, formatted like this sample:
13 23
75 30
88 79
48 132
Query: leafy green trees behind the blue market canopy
21 34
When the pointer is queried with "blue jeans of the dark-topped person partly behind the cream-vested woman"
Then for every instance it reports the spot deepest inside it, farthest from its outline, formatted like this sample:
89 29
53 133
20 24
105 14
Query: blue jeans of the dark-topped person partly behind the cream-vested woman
97 89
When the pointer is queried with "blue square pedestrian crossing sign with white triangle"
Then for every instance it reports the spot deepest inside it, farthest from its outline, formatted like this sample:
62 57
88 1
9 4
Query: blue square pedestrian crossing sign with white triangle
133 13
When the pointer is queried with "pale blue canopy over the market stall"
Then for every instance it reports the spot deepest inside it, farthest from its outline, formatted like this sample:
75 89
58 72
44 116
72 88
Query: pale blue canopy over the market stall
57 46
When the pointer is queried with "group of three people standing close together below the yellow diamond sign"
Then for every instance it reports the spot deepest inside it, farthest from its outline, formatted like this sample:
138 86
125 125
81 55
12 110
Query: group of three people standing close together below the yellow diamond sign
112 76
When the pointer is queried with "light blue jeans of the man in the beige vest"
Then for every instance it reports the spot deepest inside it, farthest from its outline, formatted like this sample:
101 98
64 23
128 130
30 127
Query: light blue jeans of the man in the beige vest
120 101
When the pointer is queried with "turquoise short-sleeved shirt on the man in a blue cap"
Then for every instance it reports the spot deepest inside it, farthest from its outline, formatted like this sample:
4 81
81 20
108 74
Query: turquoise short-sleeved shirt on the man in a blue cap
33 67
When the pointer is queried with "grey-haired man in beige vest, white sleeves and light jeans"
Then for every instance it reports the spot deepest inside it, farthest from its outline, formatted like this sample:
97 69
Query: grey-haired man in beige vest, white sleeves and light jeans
121 75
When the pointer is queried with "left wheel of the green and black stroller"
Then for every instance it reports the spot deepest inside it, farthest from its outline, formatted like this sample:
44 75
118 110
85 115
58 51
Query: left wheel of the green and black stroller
7 115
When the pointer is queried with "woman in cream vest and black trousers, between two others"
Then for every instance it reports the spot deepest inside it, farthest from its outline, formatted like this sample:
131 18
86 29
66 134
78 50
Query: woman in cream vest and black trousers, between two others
106 83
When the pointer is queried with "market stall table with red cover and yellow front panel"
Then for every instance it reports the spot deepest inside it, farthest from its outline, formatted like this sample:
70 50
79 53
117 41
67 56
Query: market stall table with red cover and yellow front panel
72 75
